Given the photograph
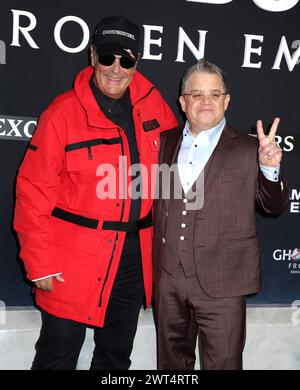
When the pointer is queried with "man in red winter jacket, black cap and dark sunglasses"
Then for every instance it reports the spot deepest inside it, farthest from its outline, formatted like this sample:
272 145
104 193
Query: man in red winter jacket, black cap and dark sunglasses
85 235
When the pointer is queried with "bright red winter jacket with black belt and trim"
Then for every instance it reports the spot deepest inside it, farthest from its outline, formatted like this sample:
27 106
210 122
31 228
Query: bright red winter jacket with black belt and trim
59 170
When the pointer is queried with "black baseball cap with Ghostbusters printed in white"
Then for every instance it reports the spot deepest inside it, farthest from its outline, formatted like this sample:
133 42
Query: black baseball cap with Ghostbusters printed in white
117 35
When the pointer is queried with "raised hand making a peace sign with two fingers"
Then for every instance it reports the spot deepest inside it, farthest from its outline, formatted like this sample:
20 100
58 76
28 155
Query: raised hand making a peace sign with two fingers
269 153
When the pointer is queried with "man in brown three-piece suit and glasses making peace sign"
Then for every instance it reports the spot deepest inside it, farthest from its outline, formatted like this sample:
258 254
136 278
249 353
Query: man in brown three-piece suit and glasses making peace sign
206 256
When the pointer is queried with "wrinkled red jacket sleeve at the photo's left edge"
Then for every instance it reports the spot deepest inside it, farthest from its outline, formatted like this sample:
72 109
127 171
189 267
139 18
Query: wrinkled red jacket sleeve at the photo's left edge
37 187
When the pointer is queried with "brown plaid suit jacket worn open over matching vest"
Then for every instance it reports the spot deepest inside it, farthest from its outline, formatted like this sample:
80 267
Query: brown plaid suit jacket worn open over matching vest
225 239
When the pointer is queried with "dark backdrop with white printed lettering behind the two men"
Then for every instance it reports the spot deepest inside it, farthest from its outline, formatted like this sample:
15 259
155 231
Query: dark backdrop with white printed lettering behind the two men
43 45
